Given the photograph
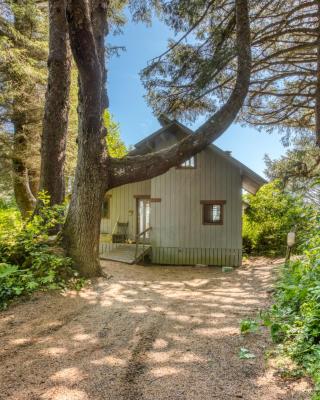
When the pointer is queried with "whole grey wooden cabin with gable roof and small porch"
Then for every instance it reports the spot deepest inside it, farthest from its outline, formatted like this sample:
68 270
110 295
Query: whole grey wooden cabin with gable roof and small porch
190 215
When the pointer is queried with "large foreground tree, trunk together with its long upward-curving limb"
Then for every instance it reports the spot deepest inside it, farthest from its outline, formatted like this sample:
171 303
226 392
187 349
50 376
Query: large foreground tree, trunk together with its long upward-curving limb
96 171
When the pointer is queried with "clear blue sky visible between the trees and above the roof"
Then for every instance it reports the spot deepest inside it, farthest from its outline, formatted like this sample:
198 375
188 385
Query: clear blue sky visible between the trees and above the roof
131 111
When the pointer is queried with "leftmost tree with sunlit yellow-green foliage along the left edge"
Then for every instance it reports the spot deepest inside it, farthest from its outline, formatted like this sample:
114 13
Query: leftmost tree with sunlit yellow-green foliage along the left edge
23 50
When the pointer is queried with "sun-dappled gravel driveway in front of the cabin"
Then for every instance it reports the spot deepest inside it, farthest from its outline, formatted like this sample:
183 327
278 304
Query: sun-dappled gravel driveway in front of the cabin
147 333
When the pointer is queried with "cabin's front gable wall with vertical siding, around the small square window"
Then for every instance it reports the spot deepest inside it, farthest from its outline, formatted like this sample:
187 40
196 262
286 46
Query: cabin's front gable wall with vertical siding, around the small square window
178 235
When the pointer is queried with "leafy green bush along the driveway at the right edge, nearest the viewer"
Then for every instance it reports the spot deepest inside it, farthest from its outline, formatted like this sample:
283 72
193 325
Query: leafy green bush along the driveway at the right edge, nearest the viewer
294 319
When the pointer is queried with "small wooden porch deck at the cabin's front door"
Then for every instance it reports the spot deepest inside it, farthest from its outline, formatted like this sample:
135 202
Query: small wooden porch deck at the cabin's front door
126 253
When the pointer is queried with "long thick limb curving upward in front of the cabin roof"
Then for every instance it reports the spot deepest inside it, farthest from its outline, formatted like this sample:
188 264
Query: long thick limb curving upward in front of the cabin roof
137 168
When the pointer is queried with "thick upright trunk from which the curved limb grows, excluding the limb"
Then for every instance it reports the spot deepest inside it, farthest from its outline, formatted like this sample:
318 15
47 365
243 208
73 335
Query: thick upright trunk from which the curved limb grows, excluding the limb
87 24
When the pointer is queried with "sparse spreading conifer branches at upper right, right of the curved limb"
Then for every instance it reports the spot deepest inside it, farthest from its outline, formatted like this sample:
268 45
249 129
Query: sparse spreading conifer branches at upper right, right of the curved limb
286 73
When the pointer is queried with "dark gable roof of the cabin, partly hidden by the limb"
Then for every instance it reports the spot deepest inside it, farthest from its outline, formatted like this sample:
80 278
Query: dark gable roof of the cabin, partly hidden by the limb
174 130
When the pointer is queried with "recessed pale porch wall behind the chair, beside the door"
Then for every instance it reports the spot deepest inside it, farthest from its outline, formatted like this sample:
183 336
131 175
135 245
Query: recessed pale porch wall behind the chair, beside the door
123 206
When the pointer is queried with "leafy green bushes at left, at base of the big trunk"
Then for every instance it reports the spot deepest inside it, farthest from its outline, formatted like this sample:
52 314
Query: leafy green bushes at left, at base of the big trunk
29 261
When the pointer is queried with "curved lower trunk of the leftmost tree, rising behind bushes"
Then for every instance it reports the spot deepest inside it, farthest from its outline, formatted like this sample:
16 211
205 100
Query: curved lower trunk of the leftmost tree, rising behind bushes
24 197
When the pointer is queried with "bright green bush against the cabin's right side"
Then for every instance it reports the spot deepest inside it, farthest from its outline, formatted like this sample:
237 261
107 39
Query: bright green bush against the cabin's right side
270 215
